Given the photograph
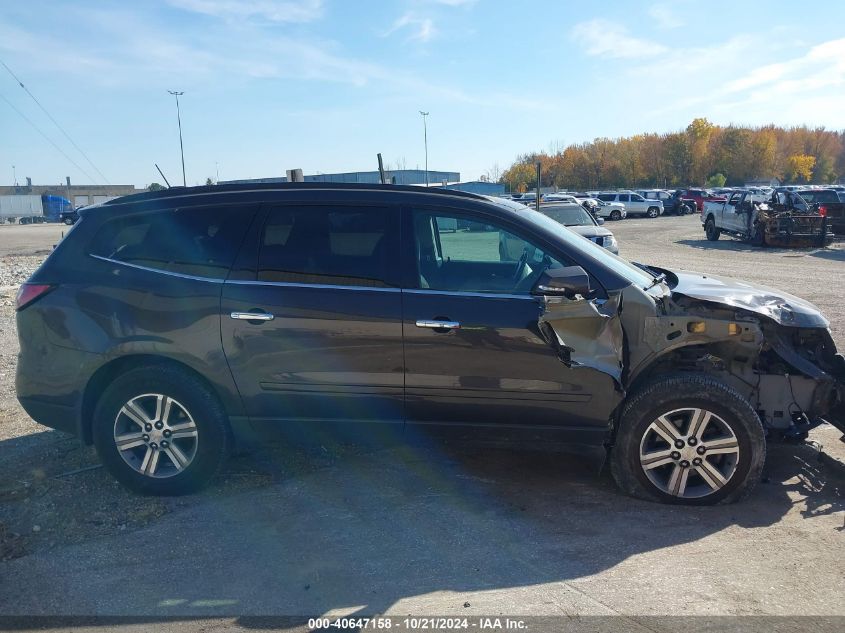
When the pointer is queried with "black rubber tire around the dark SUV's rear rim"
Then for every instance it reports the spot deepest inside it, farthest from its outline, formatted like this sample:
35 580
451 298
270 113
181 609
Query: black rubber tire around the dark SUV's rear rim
213 435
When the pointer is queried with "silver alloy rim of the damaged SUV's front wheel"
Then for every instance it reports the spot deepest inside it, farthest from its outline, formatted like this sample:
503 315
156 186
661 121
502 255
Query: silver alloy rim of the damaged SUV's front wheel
689 453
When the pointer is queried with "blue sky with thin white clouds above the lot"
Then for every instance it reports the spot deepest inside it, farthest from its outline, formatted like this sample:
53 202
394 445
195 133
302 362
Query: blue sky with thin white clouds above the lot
324 85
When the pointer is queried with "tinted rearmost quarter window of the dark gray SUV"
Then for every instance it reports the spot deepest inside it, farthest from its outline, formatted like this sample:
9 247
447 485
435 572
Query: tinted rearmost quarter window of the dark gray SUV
200 241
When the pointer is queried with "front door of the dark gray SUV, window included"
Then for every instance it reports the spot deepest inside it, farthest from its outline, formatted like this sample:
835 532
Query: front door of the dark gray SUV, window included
474 352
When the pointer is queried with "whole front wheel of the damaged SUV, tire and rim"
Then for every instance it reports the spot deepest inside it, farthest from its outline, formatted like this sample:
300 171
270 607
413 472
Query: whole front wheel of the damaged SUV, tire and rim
688 439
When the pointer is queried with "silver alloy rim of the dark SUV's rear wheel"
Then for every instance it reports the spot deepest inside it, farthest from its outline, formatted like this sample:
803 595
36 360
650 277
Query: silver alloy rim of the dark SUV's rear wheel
156 435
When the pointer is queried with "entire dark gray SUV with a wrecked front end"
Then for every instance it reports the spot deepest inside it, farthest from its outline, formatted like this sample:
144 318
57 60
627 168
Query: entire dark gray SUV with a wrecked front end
167 326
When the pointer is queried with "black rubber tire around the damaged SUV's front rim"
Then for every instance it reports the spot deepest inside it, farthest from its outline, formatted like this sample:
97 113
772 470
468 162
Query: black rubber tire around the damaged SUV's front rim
671 393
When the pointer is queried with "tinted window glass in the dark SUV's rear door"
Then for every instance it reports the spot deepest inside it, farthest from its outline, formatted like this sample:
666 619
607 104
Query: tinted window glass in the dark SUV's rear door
345 246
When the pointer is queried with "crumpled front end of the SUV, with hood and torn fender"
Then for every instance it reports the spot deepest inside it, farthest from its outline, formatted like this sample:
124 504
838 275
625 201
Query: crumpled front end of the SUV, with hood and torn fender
774 348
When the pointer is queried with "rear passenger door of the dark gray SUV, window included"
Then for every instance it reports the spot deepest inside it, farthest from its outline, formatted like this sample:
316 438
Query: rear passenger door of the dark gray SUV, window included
312 316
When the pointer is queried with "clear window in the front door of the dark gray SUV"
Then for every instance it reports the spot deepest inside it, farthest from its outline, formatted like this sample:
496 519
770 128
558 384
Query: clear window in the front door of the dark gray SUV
460 254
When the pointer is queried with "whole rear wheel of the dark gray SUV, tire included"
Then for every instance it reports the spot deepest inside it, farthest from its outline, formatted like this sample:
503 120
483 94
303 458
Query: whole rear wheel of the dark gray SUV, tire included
160 430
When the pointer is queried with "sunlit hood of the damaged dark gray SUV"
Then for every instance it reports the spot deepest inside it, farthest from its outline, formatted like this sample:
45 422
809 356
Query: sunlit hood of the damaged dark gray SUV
781 307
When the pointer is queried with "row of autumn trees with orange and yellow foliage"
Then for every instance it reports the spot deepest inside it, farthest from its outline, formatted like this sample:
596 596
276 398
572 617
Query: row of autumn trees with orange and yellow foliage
703 154
